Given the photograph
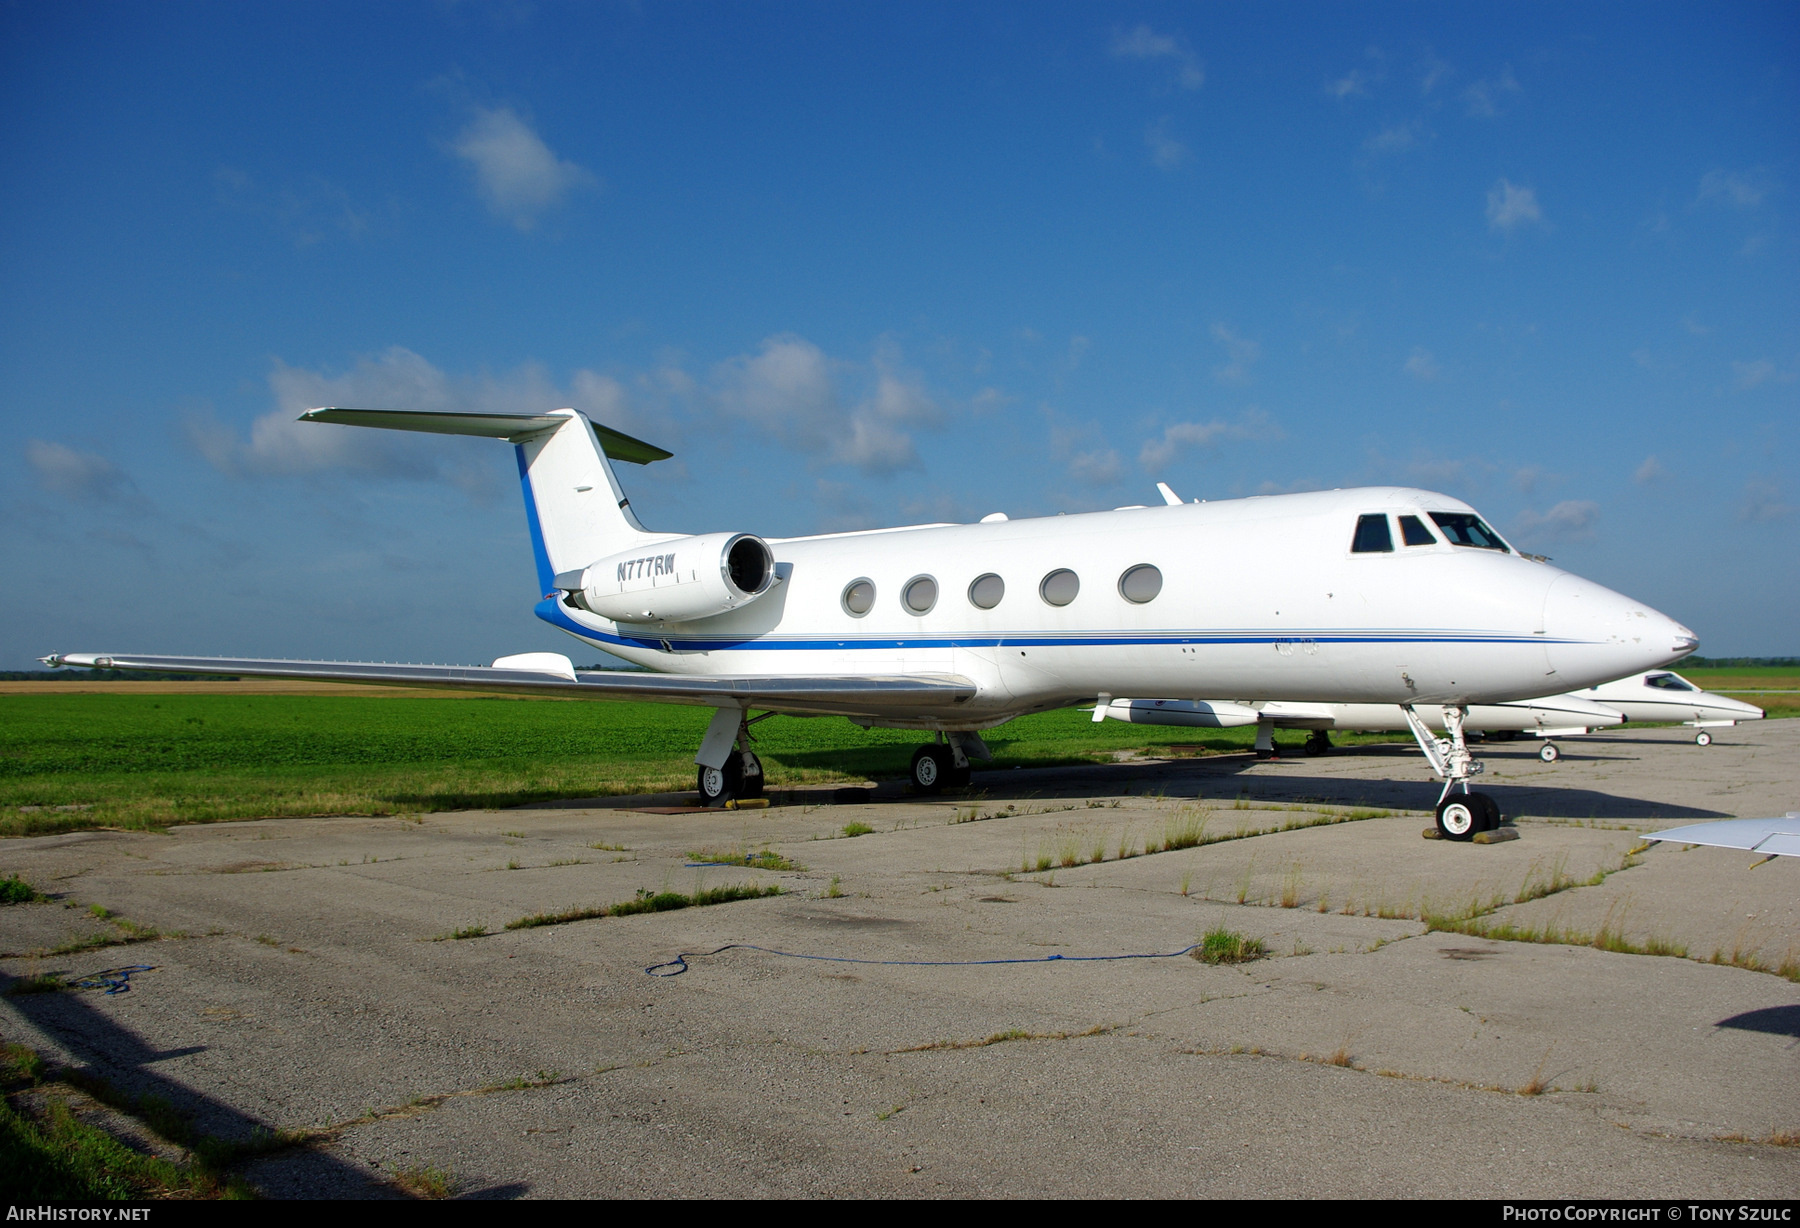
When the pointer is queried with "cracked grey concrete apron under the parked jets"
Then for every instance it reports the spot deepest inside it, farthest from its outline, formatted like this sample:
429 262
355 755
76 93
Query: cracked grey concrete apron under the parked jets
955 1042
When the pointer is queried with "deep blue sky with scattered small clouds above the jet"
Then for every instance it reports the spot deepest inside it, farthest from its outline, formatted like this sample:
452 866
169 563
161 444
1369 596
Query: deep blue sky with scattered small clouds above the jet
874 266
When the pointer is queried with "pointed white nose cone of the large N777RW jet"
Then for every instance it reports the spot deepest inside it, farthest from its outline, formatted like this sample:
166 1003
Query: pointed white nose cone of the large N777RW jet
1596 635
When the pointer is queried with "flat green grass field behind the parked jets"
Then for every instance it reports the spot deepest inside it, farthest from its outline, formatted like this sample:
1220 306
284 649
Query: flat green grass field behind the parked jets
147 761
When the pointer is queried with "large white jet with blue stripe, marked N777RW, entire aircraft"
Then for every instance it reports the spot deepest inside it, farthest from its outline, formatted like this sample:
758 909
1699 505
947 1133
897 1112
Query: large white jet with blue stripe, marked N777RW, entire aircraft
958 628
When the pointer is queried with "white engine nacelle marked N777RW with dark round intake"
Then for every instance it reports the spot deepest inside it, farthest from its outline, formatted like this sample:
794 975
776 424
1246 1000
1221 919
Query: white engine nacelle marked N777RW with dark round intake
674 582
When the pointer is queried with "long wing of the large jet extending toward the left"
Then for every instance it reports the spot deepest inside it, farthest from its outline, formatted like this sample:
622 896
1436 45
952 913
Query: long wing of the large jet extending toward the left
552 674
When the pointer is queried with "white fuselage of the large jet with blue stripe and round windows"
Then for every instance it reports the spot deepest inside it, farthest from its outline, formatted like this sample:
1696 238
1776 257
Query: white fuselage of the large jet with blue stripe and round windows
1261 599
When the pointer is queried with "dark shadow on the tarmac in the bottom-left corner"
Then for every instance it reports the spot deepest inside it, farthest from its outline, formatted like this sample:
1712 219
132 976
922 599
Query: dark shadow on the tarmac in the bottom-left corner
116 1054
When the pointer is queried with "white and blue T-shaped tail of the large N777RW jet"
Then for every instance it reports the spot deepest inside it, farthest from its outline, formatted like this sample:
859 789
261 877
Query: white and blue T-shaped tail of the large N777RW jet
573 501
